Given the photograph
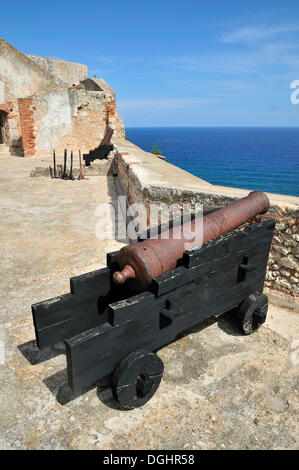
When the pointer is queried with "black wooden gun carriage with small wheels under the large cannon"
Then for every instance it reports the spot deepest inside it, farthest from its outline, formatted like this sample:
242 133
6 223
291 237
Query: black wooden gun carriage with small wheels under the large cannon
108 332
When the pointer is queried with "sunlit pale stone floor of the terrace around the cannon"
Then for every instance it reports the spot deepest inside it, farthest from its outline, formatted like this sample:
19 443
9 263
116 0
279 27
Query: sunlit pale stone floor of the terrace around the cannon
220 390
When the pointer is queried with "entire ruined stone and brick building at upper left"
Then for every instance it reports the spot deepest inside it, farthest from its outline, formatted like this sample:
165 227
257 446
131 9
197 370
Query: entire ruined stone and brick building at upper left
48 104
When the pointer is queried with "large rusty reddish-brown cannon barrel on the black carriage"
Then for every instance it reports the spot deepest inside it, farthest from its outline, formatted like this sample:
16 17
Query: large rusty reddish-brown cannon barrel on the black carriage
142 262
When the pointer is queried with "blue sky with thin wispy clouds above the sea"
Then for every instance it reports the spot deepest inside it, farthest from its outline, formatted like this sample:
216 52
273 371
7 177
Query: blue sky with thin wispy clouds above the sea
173 63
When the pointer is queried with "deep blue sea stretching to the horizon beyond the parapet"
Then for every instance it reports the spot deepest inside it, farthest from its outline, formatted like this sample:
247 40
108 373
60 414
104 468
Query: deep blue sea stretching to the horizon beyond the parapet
265 159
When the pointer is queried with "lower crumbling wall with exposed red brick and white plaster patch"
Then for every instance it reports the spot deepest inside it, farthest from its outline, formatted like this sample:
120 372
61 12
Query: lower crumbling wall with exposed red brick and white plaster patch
74 118
